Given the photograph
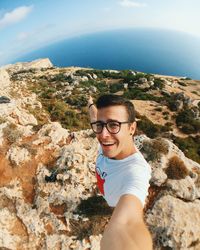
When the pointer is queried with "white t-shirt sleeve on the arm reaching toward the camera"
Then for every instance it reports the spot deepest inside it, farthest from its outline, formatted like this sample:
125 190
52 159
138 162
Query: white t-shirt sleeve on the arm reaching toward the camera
136 182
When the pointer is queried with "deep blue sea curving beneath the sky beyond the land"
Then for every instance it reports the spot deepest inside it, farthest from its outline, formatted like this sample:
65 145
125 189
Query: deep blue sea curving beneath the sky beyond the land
155 51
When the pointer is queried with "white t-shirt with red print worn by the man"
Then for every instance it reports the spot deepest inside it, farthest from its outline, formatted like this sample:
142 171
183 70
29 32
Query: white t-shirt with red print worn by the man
115 178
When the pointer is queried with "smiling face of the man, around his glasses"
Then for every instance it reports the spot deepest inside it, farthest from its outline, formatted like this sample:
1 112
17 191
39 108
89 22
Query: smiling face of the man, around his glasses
120 145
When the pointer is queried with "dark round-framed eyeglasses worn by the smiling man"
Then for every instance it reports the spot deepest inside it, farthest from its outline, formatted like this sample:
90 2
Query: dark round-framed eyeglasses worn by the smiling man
113 127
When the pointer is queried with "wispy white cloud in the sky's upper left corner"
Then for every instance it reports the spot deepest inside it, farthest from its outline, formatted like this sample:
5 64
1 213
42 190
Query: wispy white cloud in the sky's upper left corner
15 15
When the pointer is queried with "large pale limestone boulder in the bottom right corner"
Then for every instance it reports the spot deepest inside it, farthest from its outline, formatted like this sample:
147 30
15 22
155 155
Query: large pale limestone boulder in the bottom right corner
174 223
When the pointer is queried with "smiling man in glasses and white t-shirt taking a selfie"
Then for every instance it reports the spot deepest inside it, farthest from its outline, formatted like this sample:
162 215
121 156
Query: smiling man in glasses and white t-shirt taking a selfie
122 173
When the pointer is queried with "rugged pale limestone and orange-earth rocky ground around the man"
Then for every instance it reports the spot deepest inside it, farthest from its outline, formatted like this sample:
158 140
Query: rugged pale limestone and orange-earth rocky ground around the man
48 194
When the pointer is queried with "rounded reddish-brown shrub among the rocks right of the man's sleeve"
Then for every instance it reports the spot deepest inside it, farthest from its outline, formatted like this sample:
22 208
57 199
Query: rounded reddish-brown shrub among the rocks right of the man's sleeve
176 169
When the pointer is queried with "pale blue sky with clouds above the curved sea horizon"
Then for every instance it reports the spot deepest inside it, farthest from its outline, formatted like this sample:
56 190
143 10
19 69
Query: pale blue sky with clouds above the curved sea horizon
26 25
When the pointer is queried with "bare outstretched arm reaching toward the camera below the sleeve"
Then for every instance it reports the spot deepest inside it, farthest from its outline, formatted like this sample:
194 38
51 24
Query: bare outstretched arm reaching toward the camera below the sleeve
126 230
